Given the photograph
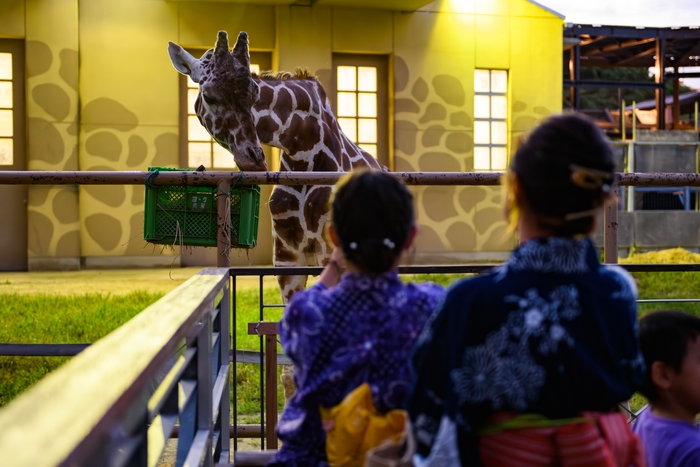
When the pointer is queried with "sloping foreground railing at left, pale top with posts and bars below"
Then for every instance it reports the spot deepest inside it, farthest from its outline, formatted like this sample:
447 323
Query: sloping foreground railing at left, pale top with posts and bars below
117 402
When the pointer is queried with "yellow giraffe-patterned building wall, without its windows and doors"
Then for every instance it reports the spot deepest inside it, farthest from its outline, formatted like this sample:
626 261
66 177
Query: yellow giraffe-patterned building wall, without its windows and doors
103 95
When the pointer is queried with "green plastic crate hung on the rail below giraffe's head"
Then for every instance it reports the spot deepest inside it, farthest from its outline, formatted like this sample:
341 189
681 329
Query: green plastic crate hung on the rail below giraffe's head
194 210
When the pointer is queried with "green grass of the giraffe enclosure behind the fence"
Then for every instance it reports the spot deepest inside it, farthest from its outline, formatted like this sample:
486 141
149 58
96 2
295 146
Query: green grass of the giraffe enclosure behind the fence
87 318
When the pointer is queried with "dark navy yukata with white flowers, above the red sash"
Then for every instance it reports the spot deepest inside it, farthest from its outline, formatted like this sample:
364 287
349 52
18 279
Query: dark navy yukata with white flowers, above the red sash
551 332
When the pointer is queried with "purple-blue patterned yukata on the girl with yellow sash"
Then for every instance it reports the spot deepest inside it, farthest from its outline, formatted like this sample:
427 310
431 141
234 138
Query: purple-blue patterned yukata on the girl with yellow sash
360 331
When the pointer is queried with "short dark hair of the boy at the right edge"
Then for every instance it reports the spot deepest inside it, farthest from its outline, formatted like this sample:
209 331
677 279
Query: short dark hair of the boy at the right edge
664 336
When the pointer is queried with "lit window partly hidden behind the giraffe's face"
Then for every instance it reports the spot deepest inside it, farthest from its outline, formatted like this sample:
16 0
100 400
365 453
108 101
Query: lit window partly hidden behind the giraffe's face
201 147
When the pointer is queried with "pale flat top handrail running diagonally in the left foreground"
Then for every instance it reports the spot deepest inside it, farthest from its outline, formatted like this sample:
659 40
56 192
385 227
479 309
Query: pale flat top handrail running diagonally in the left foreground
77 409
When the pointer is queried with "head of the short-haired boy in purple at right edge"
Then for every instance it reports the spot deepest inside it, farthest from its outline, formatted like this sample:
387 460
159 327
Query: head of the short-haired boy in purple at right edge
670 343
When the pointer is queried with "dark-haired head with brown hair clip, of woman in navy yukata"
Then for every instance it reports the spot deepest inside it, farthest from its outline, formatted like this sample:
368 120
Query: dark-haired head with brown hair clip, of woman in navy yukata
561 174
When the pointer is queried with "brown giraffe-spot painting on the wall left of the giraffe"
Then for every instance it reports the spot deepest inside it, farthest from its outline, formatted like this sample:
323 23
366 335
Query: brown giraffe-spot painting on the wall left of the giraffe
112 216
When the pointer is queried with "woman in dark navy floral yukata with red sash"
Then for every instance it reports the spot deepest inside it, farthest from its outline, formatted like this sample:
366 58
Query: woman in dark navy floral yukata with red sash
525 365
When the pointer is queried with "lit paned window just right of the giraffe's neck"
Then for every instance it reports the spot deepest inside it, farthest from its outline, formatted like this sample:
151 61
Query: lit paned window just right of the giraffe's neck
357 105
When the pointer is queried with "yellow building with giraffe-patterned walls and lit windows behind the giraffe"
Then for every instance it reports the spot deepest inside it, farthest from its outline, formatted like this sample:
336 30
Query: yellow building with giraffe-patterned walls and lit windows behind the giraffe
88 85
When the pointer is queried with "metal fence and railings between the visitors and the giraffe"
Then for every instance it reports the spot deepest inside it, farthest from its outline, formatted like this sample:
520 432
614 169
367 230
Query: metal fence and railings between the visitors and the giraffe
100 401
